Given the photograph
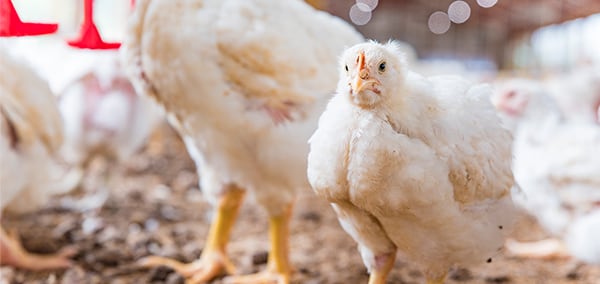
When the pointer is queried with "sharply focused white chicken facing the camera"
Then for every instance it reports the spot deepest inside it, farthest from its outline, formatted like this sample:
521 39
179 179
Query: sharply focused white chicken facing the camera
419 165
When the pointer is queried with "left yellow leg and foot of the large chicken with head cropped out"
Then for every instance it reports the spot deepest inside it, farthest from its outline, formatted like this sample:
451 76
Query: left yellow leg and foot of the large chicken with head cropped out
214 260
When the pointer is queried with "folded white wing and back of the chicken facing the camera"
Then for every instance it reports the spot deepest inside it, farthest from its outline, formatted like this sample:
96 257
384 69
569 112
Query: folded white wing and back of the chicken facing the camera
458 121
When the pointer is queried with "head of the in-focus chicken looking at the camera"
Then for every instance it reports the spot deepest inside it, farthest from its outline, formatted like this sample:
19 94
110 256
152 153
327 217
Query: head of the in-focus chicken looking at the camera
371 72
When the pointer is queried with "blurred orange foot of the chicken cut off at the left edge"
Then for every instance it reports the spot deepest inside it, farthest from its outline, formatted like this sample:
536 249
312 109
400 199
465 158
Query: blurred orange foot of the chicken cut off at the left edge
13 254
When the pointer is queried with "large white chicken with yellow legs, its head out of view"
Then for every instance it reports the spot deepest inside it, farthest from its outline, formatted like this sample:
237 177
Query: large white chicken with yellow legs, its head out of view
244 83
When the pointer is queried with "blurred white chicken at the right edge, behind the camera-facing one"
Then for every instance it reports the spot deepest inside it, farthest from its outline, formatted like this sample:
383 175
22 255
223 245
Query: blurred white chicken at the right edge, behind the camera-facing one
556 170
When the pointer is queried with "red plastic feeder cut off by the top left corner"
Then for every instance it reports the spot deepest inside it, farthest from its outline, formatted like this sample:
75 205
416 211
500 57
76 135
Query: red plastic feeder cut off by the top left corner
11 24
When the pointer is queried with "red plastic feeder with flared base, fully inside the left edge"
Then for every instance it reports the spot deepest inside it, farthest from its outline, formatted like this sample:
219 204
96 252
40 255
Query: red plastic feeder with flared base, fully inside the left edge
89 36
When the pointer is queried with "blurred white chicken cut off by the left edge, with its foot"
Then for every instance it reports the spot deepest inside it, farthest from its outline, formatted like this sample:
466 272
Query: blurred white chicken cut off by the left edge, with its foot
31 130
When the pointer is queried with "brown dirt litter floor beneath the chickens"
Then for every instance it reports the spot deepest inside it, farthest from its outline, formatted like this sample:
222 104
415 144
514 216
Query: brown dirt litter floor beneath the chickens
155 207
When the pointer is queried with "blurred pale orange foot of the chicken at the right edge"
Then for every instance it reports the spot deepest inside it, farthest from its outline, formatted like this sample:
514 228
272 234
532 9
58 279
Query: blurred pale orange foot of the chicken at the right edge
544 249
